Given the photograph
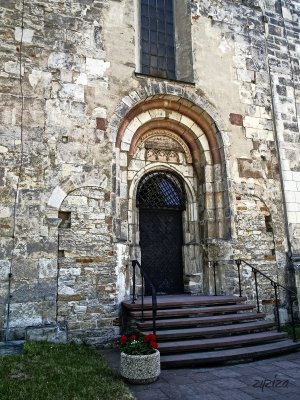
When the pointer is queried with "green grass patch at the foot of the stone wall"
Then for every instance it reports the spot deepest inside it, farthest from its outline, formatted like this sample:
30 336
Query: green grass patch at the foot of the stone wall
47 371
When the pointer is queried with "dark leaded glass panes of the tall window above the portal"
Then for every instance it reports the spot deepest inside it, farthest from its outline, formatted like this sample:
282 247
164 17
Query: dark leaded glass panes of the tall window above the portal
157 38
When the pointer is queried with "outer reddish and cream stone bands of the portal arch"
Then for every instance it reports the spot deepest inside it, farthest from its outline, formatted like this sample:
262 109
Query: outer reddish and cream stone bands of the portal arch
202 138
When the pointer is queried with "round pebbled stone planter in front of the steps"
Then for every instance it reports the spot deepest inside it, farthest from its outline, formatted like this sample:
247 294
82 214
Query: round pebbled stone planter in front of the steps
140 369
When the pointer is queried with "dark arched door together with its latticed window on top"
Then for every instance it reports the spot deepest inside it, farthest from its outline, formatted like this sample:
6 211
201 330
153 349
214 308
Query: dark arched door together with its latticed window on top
161 200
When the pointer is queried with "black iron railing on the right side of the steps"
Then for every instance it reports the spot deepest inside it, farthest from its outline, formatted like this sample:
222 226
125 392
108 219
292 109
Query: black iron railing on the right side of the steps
291 294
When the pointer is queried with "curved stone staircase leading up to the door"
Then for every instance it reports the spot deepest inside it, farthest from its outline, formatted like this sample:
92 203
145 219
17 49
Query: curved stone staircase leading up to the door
203 330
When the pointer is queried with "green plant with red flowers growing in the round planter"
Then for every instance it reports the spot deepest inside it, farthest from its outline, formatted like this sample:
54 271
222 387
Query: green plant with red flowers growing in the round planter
138 345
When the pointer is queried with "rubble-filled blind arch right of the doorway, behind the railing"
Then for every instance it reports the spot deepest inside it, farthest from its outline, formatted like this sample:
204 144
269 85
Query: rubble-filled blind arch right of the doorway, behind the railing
254 243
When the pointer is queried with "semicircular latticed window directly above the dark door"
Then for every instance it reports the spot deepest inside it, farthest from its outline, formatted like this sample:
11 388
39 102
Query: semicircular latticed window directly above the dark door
161 190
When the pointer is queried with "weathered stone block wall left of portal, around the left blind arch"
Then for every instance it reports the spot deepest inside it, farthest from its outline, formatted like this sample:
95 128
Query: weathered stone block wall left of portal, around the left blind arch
54 80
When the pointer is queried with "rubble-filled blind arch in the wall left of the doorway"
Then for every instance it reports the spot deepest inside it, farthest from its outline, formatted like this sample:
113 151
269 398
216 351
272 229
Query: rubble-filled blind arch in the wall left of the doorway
87 273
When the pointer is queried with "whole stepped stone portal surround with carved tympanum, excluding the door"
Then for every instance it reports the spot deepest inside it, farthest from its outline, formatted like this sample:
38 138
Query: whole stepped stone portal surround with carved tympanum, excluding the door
173 134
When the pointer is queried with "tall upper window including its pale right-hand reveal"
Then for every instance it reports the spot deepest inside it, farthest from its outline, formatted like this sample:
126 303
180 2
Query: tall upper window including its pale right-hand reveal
165 39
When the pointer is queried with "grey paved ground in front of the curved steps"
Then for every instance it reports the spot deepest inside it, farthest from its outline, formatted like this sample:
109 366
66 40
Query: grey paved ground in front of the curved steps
270 379
